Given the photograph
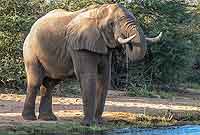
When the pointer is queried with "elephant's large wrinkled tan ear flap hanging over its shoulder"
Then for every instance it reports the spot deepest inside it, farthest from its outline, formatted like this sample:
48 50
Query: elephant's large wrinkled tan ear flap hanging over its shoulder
82 33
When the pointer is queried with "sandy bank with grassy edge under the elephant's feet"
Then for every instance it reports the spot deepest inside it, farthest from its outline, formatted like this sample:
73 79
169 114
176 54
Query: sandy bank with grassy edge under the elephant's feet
120 111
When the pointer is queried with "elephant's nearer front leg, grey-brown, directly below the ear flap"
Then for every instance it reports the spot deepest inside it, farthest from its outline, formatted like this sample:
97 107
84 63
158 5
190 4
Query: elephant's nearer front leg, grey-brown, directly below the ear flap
85 65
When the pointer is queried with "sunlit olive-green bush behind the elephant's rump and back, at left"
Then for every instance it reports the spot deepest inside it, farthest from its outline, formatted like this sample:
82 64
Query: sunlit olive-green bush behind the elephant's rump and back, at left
16 19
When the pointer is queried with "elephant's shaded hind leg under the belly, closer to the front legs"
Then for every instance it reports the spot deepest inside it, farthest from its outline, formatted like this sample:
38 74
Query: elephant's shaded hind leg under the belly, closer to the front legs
45 109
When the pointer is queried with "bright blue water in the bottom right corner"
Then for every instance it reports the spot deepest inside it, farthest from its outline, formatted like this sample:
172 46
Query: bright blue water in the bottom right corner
182 130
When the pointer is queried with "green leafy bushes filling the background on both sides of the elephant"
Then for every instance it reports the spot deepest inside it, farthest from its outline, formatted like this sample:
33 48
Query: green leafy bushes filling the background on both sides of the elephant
173 61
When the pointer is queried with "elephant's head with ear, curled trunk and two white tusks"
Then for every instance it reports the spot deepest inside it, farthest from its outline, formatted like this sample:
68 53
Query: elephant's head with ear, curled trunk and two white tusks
108 26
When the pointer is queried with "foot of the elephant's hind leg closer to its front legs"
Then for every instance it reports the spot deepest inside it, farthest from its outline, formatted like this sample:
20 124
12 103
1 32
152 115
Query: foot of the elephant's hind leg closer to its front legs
47 116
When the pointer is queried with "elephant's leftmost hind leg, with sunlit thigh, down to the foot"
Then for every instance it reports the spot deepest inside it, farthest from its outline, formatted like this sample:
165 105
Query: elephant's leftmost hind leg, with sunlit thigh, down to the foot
34 76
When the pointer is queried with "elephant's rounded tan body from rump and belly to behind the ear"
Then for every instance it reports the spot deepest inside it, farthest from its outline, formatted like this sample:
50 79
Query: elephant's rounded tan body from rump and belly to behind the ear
46 43
